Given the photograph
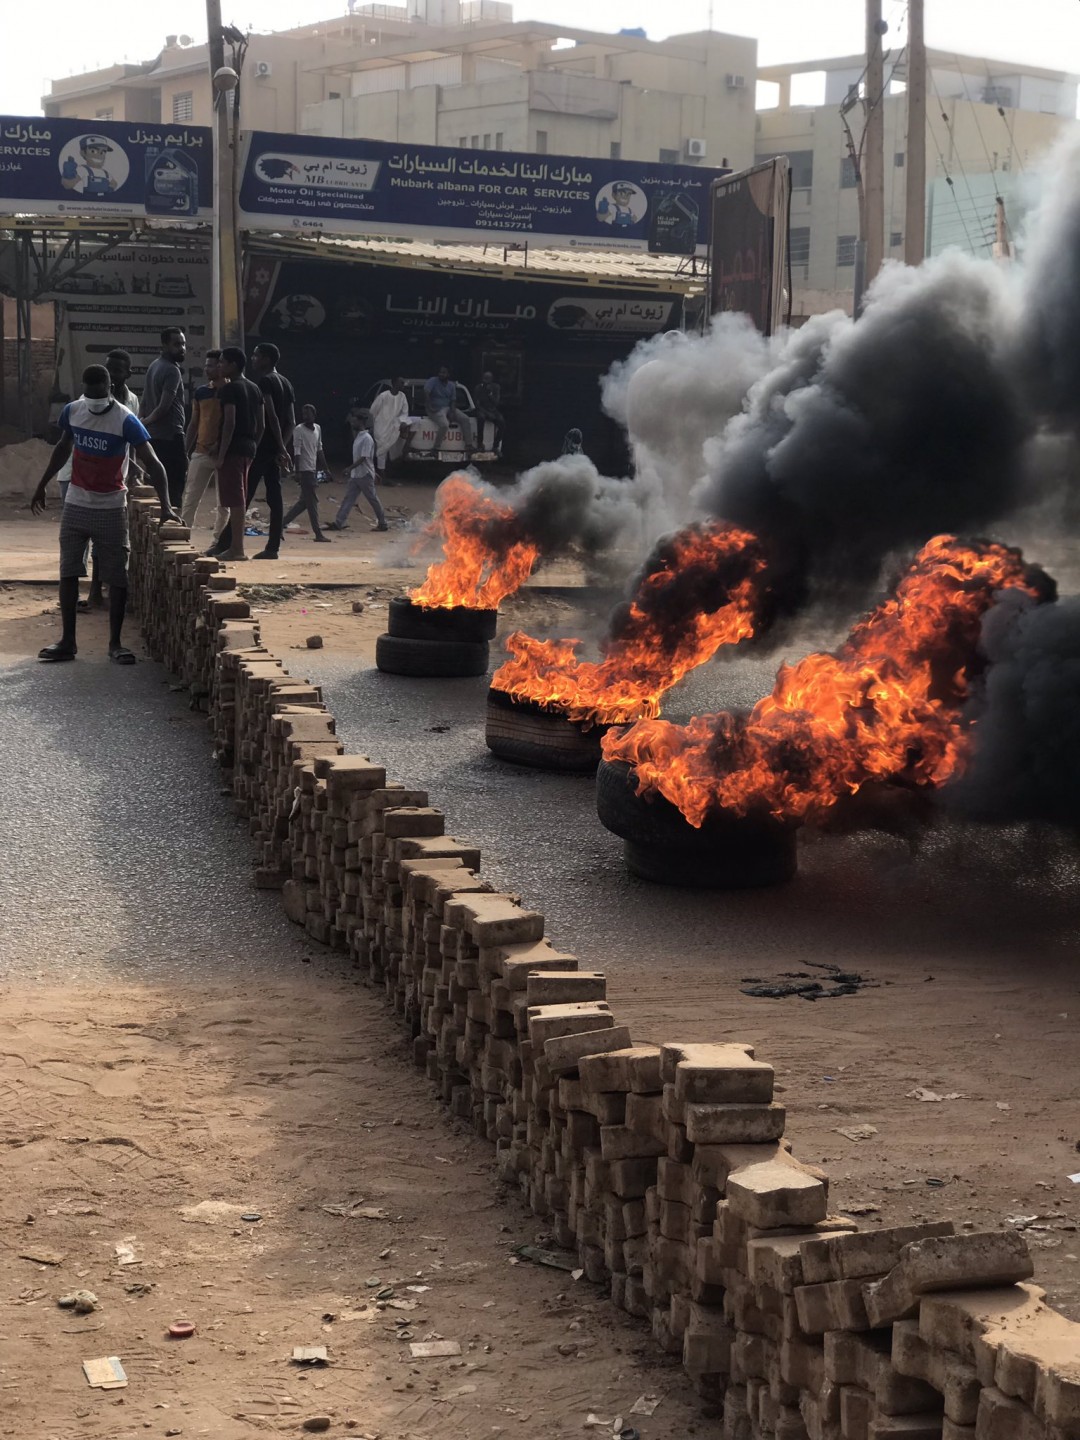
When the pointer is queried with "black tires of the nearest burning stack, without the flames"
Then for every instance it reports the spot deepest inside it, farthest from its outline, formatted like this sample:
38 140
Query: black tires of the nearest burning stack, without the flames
728 853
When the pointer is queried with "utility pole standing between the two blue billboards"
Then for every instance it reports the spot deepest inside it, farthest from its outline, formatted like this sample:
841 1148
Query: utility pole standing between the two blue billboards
227 289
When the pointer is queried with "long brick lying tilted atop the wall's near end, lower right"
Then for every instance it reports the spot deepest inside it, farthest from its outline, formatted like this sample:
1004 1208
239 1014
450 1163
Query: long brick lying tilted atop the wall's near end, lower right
944 1264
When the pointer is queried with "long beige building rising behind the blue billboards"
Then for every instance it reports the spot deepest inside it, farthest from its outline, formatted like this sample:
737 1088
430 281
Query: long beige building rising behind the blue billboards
459 73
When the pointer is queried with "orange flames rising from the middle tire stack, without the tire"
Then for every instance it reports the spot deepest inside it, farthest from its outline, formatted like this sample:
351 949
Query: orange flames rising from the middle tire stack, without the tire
653 650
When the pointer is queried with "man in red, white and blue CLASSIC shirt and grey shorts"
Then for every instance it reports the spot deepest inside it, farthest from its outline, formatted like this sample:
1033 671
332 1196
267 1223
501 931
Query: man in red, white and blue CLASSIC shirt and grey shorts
96 431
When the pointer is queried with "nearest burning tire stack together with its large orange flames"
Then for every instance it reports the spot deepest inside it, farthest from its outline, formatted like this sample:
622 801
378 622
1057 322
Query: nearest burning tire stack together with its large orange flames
883 716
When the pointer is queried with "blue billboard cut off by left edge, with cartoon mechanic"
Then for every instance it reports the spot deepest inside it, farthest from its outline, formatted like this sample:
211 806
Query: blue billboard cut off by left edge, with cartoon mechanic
104 169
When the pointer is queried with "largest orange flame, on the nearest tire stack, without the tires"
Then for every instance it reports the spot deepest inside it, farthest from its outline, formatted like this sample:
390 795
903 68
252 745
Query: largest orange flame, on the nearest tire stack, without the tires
885 706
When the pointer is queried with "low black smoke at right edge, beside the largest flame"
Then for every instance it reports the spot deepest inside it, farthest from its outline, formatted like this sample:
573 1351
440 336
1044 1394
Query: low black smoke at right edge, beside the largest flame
1026 765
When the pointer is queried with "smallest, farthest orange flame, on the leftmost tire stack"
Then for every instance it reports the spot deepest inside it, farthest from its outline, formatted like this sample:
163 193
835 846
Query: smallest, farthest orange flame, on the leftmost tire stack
485 555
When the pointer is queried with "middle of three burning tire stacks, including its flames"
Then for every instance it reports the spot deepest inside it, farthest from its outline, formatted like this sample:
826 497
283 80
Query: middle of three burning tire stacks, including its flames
701 590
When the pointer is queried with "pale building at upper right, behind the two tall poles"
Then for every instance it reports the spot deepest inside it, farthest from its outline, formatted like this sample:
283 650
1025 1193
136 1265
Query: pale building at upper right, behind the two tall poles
987 125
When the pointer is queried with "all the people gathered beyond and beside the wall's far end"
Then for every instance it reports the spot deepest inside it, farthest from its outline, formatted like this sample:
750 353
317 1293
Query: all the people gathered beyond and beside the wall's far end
241 436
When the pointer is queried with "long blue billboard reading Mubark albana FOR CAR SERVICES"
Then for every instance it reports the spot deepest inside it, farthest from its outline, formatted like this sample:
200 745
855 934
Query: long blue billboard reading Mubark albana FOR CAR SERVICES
316 184
